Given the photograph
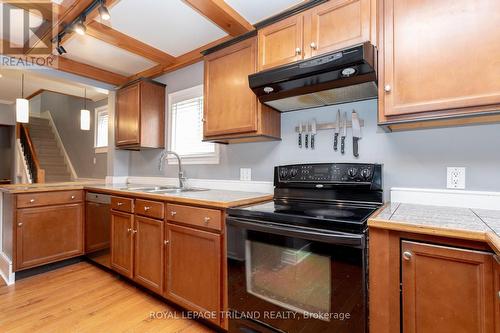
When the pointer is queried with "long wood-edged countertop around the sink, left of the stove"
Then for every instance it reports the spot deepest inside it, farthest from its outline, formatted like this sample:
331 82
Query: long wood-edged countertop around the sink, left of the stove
211 198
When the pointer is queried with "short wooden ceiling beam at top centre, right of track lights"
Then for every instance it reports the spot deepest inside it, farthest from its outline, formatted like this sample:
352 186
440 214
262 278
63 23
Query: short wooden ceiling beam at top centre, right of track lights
222 15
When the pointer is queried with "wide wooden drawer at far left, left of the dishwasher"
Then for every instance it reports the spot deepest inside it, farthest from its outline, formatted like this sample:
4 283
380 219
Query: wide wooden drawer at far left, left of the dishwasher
48 198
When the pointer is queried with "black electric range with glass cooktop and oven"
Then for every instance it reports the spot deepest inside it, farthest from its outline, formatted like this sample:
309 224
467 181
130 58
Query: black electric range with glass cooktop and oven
299 263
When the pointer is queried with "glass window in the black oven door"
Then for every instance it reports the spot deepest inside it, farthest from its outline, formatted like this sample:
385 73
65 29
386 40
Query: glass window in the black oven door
289 275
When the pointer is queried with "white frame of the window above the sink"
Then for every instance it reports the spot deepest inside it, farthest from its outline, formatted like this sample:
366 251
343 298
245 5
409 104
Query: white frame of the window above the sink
202 158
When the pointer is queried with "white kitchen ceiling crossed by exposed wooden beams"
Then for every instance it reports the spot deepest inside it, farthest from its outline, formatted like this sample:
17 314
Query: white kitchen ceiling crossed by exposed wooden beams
146 38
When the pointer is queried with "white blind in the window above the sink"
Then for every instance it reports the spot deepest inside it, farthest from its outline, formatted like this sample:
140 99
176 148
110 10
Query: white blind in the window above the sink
186 117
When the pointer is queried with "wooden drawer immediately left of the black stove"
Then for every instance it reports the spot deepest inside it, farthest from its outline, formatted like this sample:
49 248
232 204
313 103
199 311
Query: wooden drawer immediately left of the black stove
201 217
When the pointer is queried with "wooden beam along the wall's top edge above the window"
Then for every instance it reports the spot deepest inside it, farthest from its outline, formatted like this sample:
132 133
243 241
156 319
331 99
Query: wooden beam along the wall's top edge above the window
181 61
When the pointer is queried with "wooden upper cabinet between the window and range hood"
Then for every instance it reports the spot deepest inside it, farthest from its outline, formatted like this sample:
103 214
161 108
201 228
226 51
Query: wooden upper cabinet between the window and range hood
232 112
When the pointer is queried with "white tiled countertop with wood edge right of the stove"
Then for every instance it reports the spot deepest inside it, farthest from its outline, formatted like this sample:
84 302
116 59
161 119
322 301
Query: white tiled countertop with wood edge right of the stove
464 223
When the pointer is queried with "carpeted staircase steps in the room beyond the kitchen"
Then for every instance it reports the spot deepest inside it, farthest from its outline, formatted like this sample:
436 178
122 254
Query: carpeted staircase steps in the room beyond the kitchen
49 153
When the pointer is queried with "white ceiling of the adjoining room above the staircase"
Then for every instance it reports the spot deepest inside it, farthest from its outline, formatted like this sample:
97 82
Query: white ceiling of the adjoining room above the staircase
10 86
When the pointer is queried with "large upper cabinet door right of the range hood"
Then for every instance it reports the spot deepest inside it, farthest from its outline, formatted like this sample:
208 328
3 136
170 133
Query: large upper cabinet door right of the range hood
439 55
